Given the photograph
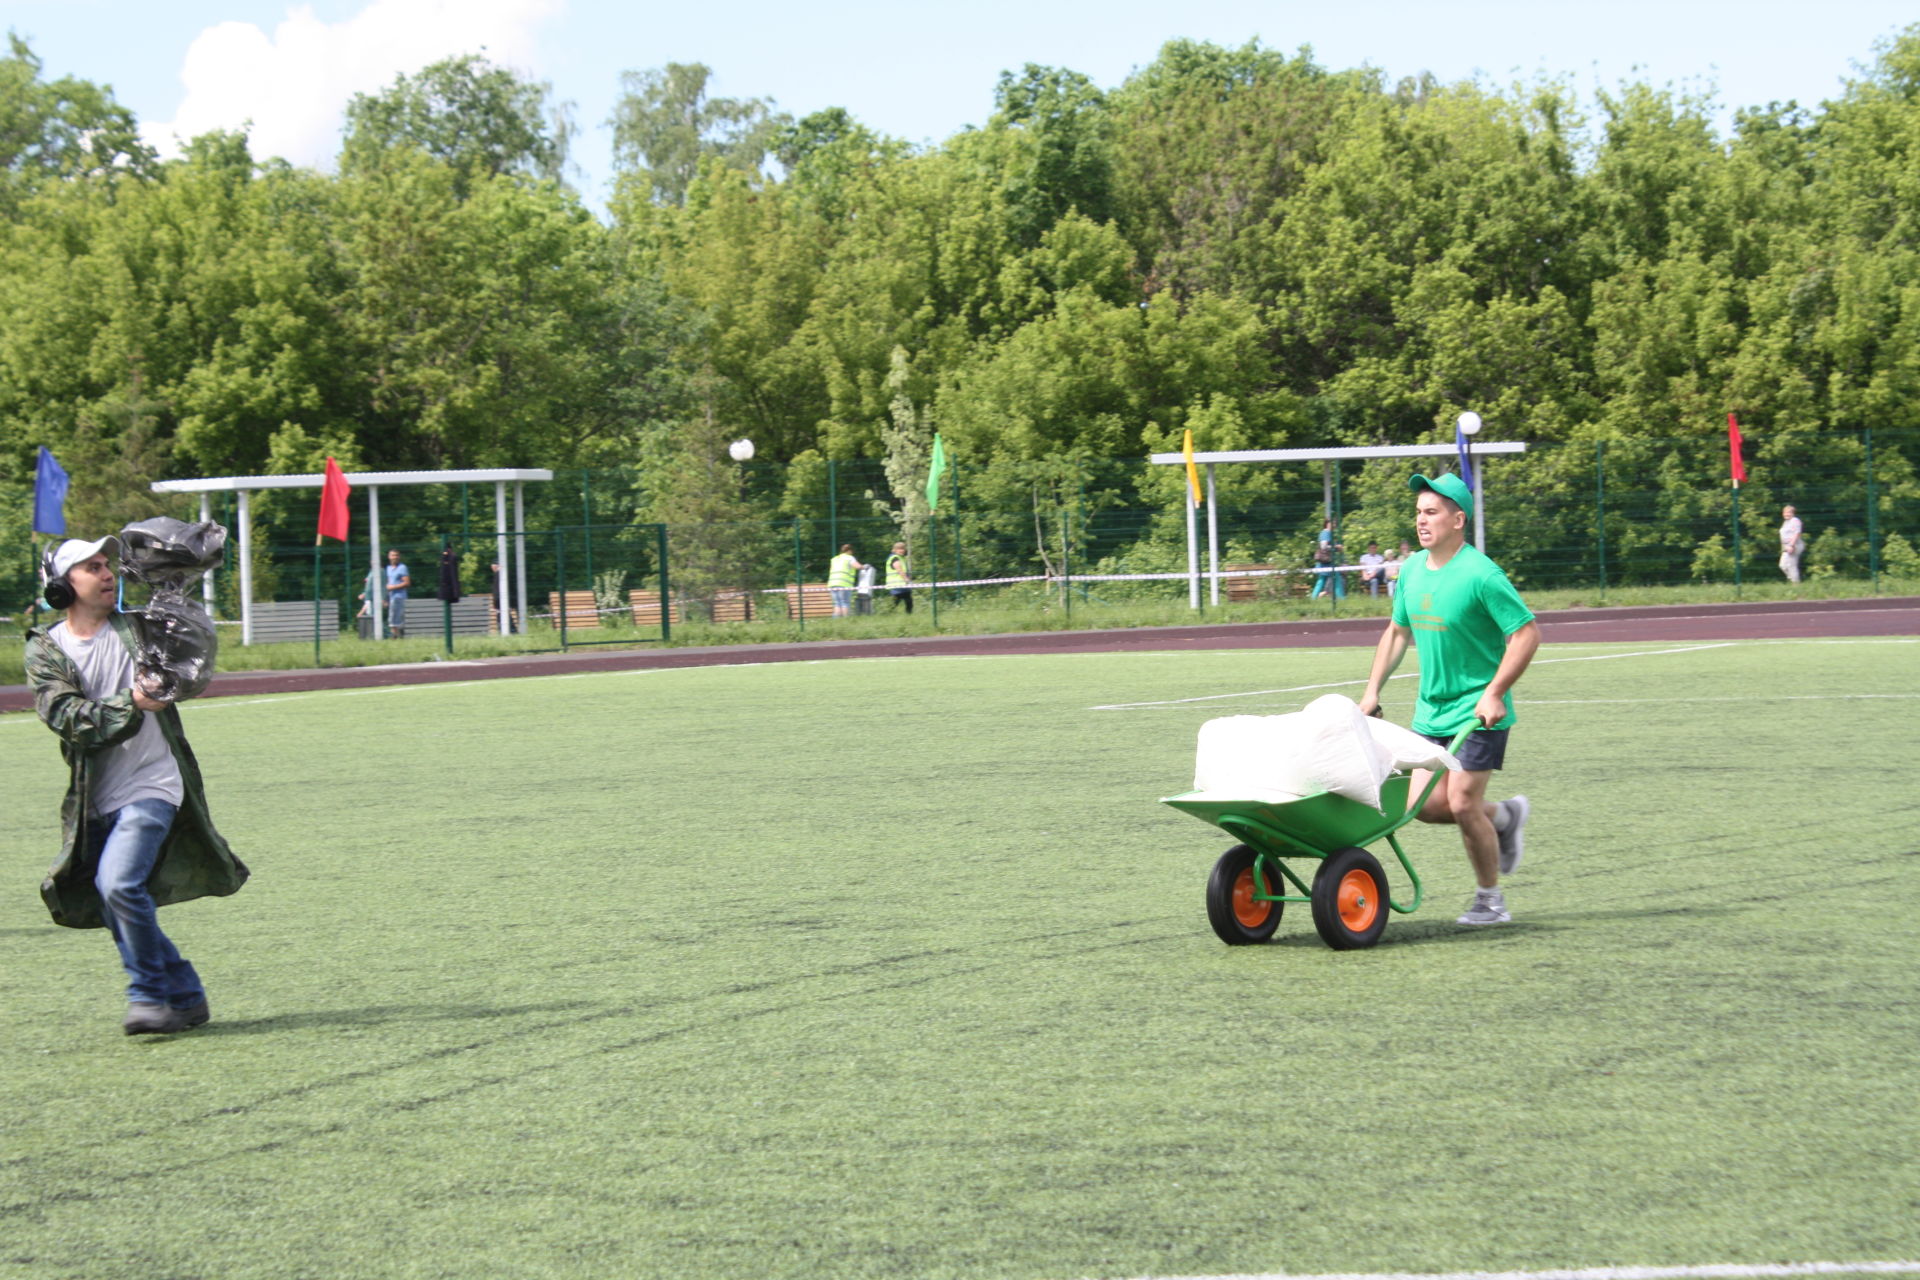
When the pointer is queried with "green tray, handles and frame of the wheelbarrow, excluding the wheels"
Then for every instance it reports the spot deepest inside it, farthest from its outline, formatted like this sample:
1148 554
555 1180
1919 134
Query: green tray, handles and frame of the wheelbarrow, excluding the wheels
1318 826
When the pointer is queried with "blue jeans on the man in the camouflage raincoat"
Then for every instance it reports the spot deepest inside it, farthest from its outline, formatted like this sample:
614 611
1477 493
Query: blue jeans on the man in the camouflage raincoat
128 843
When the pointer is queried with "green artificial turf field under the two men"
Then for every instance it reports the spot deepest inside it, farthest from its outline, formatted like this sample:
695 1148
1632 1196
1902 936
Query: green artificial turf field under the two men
896 968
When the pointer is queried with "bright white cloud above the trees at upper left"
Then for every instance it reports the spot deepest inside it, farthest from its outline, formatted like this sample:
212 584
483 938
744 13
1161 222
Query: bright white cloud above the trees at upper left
297 83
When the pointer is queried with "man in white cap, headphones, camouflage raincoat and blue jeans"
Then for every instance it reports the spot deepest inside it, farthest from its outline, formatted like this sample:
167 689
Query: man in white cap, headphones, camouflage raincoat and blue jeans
135 828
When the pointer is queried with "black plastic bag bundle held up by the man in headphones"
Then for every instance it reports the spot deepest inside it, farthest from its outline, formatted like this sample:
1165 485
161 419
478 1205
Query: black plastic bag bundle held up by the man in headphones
178 644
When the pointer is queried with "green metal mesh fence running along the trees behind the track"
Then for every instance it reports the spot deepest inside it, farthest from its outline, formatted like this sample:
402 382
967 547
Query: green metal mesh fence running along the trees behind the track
1591 517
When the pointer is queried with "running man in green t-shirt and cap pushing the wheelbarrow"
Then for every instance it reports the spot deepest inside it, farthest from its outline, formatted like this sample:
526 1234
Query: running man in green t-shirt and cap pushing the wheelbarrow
1476 636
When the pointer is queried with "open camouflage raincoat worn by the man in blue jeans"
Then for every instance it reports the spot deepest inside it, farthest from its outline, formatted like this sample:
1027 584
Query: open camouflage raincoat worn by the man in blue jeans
195 863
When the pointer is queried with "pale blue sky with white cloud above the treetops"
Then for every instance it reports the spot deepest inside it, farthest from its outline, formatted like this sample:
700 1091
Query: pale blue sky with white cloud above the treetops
919 72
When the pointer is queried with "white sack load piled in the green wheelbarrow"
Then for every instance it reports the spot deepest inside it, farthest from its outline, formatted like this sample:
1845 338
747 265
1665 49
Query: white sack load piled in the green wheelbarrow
1326 747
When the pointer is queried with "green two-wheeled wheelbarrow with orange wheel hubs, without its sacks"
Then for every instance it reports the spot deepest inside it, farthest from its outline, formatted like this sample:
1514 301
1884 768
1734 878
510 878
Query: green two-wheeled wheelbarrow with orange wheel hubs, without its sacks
1349 897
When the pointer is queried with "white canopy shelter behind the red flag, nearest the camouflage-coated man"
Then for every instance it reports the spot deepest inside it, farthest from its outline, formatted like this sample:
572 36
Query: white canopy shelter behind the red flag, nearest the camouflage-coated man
373 483
